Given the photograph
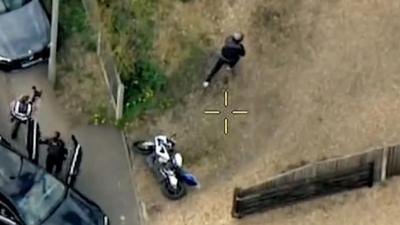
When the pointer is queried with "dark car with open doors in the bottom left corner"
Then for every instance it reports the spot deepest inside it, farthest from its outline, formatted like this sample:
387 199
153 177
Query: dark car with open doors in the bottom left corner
31 196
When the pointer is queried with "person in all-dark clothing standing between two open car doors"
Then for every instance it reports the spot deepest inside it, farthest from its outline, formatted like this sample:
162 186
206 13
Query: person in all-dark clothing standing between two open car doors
56 153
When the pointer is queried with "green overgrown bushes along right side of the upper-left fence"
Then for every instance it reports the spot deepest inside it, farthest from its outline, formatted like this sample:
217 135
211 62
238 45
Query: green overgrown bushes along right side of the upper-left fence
131 35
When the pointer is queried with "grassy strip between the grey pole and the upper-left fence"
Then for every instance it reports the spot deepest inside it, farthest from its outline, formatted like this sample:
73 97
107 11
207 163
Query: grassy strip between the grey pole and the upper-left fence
80 85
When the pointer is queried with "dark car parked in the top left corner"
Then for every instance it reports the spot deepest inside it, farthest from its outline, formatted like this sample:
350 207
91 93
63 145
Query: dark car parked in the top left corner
24 33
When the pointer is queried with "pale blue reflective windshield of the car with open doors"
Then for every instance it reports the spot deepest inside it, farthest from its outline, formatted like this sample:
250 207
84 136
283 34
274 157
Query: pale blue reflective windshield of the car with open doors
40 195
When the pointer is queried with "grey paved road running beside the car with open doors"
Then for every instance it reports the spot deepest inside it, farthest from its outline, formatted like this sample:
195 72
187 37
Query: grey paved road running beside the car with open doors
104 175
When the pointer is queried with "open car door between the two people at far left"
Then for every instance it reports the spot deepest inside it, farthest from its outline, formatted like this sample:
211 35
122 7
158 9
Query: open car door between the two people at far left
32 140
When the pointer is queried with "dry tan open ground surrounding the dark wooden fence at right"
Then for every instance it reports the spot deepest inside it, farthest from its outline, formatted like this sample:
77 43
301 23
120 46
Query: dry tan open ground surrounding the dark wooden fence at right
320 79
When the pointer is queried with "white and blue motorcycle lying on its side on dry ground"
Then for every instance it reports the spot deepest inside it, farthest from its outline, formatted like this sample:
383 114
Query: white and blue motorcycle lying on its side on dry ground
167 166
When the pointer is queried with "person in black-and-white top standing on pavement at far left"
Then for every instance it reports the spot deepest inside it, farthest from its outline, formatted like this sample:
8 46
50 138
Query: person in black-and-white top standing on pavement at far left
19 119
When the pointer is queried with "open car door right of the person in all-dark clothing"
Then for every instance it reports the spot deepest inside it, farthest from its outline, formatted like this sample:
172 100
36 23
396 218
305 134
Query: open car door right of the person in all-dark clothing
74 162
